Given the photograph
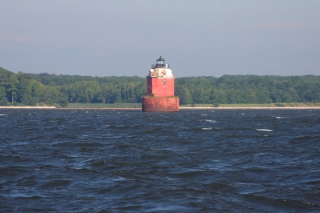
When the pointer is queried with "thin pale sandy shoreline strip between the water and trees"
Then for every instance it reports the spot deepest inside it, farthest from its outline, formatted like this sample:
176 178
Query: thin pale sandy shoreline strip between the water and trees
181 108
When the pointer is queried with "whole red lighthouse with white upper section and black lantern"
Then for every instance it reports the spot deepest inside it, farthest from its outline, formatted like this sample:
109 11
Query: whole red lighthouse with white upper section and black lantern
160 89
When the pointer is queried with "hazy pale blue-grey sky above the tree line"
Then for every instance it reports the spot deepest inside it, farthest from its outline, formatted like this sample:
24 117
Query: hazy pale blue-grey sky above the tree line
197 38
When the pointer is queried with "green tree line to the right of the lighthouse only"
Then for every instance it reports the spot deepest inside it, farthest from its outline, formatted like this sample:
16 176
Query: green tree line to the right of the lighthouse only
249 89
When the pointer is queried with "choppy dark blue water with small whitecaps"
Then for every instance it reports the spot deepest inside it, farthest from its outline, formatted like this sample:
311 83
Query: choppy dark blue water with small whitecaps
190 161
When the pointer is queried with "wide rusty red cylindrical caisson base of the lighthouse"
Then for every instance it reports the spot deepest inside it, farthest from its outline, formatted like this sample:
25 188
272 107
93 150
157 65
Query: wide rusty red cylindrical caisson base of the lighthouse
160 104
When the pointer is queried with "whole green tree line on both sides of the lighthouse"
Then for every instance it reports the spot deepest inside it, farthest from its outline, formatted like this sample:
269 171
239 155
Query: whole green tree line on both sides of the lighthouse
49 89
